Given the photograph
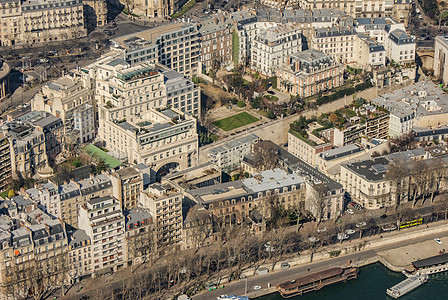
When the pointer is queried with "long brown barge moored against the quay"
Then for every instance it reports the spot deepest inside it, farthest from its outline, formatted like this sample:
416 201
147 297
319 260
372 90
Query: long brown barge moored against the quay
316 281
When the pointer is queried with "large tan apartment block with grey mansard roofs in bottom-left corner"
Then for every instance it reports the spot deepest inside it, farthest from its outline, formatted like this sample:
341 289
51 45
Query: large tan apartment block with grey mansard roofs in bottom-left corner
33 248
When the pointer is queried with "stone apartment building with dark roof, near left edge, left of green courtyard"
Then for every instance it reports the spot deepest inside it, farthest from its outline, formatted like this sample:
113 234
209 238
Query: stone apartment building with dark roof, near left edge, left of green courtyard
27 148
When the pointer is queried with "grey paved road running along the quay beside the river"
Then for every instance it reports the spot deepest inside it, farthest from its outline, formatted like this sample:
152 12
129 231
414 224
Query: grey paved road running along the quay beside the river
277 277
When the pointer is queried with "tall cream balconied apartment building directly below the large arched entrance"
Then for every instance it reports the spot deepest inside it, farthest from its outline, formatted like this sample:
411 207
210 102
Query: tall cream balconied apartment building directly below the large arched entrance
164 202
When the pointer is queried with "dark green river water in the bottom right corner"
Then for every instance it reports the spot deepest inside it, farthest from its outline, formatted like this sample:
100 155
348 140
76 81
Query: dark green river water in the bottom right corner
372 283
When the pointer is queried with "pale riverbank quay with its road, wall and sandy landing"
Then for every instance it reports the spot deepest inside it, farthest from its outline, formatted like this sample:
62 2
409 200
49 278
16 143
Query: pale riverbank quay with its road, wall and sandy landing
418 242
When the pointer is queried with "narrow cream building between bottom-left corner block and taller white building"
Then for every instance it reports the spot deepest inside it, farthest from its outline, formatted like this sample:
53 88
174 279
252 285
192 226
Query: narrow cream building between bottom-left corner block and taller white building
79 255
